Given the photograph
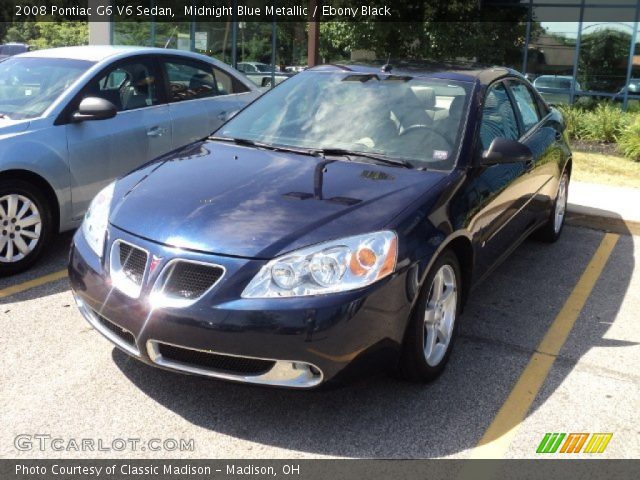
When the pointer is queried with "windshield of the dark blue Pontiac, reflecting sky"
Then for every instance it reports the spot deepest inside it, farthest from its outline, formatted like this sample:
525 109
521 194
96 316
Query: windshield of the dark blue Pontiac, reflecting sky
415 119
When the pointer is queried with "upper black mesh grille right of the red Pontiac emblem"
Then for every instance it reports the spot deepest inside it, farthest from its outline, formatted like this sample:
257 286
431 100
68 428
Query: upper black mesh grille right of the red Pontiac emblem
188 281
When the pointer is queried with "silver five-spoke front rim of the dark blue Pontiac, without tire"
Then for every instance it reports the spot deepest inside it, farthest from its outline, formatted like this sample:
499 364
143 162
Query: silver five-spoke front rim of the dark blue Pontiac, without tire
440 315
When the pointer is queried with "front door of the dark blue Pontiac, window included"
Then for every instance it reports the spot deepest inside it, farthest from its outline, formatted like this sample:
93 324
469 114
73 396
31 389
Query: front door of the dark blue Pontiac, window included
498 192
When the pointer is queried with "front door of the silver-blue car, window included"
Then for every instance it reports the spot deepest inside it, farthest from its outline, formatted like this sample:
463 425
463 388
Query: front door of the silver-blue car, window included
100 151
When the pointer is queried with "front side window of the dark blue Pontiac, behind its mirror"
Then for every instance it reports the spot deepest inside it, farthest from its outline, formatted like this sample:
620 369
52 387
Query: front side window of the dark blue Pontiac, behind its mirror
498 117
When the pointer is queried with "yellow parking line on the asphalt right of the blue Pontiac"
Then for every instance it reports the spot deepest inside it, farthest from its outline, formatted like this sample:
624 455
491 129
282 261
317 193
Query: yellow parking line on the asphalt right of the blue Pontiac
496 440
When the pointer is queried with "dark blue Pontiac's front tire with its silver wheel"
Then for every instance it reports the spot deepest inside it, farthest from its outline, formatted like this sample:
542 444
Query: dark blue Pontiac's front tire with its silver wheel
424 356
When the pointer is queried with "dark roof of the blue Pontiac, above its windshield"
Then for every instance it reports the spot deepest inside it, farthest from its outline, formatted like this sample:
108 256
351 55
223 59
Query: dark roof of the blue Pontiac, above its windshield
463 72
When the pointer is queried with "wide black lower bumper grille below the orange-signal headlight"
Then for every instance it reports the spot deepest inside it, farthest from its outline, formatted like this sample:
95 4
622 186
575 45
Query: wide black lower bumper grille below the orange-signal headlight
215 361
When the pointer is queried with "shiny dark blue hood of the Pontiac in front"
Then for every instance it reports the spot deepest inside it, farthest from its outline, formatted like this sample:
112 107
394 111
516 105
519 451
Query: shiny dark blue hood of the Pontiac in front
240 201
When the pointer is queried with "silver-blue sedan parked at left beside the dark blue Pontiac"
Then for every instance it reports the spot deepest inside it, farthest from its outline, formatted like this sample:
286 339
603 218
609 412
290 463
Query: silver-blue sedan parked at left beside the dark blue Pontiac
54 153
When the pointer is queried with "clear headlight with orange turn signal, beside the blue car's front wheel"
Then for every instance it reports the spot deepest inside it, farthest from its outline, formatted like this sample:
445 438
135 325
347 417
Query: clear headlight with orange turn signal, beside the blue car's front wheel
335 266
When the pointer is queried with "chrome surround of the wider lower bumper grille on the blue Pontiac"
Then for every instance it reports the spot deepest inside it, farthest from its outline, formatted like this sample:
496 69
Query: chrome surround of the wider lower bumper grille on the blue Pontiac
285 373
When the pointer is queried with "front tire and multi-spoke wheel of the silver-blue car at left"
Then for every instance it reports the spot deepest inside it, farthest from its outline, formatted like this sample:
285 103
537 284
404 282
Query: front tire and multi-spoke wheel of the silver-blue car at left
22 238
